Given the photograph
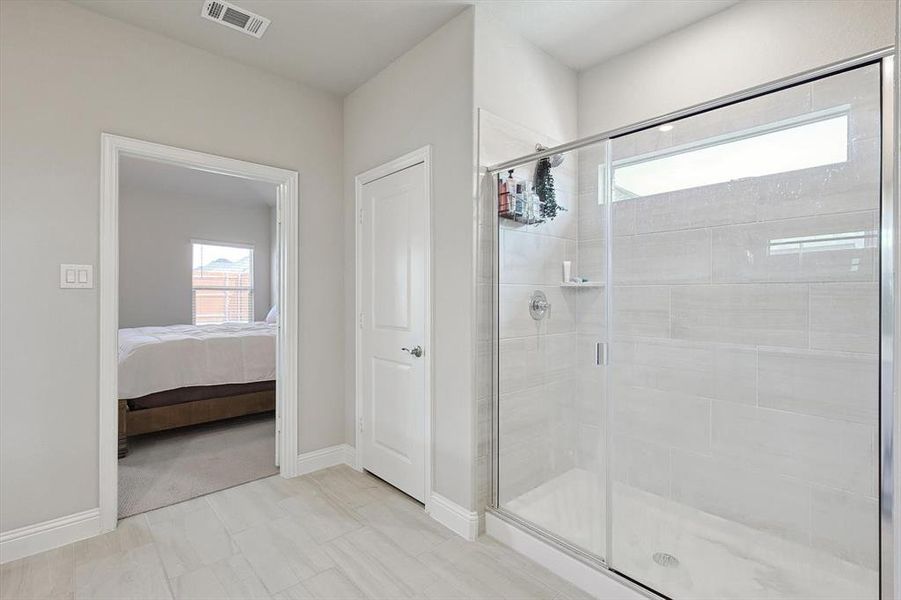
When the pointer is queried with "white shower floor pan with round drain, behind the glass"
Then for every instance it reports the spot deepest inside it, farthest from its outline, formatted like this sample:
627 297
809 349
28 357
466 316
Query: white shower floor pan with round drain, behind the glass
715 558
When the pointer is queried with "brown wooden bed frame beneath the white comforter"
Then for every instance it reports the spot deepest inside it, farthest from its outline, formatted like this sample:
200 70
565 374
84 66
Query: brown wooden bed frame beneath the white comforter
149 420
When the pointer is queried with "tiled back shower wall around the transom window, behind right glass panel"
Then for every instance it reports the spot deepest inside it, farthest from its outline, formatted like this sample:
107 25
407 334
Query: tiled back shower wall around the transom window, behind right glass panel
744 356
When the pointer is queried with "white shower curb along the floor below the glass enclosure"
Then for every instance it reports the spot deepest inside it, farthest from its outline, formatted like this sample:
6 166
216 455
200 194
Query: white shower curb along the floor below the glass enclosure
594 581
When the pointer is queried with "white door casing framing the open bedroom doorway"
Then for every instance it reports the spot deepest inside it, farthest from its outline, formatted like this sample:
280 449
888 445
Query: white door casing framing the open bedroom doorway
288 215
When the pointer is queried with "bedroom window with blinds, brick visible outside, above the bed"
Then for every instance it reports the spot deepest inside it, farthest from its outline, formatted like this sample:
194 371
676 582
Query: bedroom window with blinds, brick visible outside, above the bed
222 283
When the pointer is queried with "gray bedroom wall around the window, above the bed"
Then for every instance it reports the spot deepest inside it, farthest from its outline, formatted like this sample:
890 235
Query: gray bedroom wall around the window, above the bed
155 254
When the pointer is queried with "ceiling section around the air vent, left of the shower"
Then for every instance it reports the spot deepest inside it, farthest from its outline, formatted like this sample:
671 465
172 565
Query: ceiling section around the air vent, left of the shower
334 45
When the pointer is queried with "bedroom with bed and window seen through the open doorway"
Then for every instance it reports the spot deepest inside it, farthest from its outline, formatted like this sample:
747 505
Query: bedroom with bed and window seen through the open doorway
198 325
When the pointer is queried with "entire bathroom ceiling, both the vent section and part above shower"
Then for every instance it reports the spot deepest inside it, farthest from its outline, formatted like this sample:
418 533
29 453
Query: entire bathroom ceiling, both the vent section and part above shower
336 45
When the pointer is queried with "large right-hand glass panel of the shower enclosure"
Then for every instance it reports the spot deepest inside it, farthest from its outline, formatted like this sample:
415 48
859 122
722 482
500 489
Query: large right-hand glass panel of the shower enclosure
743 383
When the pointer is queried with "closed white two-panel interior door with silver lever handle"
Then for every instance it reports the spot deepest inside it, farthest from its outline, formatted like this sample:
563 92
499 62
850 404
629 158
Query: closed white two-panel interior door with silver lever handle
394 223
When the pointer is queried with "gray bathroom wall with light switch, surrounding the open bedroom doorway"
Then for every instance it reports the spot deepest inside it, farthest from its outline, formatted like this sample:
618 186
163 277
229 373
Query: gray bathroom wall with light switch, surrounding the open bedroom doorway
68 75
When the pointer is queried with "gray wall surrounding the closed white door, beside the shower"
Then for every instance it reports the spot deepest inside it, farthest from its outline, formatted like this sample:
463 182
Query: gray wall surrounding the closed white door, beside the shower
425 97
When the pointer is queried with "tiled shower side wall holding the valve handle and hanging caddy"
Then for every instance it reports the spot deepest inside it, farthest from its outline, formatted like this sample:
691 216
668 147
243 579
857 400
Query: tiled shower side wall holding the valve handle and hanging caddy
537 365
